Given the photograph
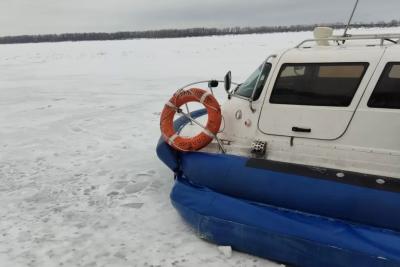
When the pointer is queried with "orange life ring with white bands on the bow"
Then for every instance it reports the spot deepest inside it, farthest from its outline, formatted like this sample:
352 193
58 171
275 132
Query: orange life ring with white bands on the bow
172 106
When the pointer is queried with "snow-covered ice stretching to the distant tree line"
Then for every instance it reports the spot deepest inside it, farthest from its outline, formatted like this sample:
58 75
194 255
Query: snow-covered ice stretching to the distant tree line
80 183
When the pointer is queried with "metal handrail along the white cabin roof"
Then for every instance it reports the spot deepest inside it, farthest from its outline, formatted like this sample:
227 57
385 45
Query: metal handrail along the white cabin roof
338 38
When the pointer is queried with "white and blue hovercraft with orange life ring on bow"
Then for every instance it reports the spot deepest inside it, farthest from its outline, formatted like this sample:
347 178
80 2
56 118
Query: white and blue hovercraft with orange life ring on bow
301 165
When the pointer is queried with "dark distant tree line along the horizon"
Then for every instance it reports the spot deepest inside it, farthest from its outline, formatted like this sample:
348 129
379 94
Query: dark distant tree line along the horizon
178 33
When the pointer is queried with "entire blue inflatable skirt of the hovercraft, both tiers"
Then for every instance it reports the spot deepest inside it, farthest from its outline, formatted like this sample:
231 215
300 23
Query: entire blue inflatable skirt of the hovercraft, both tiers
264 209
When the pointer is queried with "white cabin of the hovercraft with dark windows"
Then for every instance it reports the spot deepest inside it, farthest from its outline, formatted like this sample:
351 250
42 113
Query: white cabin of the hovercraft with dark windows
331 102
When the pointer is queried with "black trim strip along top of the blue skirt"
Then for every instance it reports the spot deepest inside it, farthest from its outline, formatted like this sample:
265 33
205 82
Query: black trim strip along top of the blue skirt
340 176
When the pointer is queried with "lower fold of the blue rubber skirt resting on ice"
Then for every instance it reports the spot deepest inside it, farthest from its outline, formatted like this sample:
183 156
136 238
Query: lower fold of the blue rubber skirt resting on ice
283 235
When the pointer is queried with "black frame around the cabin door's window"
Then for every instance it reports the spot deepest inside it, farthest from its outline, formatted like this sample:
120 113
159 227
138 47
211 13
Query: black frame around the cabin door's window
365 64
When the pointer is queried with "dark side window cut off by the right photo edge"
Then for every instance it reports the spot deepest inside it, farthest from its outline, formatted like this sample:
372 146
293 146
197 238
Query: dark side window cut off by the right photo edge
387 91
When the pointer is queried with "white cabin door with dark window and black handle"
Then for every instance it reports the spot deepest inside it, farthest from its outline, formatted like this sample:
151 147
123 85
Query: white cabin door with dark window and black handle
315 92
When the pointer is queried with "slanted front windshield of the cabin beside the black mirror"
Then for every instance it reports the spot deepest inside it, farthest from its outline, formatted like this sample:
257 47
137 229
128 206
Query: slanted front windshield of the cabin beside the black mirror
256 82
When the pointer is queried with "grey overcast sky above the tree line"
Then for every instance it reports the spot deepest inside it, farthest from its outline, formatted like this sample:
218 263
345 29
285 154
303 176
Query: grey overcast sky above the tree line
58 16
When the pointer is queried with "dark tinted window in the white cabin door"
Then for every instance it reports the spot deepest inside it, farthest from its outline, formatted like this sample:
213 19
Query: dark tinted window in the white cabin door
318 84
